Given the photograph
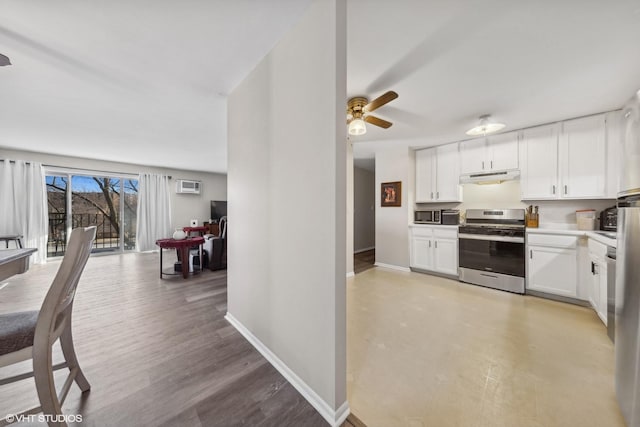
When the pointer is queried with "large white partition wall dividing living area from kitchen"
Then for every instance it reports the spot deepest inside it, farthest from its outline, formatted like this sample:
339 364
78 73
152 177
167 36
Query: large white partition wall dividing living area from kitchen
287 195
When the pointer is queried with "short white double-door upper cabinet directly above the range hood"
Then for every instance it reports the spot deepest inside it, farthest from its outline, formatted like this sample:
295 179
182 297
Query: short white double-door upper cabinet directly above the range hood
494 153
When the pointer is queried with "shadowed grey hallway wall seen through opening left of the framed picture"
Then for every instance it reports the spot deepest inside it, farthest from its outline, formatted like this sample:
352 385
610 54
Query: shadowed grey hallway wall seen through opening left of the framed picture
364 209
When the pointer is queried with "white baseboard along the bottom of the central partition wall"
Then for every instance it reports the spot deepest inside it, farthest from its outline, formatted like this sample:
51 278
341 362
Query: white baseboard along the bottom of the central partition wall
334 418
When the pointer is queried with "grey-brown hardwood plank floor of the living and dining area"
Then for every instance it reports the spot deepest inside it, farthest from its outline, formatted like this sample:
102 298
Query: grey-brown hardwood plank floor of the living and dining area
156 352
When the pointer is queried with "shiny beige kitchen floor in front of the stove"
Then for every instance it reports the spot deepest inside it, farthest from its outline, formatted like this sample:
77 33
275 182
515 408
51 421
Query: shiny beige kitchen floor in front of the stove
428 351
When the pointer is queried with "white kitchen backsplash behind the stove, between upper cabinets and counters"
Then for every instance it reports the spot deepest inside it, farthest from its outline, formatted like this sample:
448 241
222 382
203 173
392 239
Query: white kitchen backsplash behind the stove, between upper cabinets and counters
507 196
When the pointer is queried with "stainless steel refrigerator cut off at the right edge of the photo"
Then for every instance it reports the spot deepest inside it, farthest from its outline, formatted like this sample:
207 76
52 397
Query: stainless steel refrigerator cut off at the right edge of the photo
627 305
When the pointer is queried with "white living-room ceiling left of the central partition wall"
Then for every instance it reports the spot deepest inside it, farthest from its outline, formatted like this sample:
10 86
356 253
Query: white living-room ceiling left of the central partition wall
139 81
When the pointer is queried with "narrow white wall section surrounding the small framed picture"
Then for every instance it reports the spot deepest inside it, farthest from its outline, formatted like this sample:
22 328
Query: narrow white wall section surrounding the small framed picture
392 236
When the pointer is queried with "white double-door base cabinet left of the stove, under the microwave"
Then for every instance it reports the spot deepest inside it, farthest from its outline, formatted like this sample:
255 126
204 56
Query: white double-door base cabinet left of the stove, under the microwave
435 248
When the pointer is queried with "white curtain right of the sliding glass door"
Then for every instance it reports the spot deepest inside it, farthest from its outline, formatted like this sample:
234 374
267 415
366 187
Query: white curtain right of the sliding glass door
154 211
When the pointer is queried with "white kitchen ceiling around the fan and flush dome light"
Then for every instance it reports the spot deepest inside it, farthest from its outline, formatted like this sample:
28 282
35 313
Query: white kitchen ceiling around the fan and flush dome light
523 62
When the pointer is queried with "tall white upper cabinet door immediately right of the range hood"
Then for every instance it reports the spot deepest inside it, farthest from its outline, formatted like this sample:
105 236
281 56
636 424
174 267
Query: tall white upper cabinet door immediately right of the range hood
539 163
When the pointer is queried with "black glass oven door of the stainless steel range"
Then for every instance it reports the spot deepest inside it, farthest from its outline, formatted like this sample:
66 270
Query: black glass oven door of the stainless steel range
497 254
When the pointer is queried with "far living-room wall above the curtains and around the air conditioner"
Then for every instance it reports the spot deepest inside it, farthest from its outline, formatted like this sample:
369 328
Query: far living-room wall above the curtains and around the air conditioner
184 207
